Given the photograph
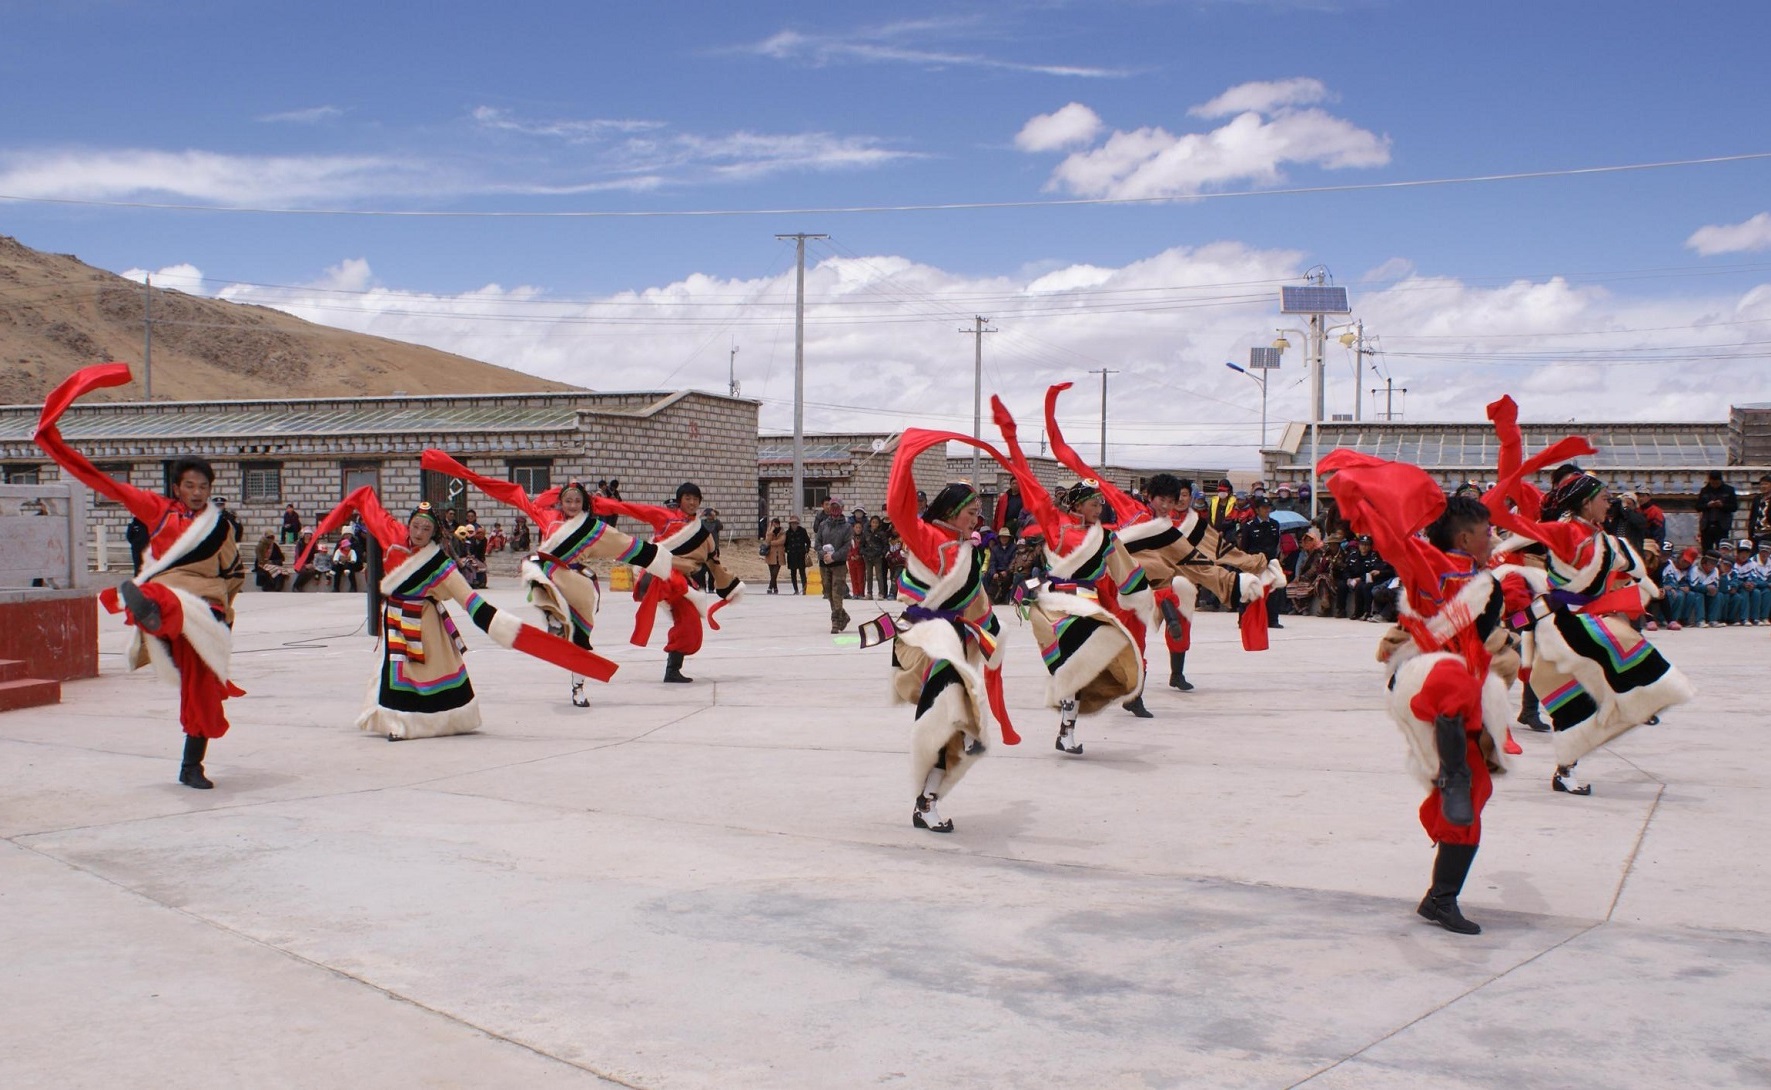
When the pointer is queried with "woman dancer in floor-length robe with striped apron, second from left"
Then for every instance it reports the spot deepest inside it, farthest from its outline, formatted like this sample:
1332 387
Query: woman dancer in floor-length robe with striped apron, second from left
422 689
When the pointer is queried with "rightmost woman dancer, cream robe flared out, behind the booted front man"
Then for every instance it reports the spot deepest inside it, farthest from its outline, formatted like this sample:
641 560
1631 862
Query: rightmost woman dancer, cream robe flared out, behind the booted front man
1595 674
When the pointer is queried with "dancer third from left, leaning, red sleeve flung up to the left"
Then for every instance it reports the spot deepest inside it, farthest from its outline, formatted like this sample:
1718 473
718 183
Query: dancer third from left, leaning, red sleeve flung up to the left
573 534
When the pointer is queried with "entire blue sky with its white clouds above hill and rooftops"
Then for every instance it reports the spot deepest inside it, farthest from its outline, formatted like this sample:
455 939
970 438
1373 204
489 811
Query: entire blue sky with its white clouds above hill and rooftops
1644 290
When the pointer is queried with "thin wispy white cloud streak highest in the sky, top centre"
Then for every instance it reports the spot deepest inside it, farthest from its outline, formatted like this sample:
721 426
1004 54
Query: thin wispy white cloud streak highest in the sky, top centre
901 43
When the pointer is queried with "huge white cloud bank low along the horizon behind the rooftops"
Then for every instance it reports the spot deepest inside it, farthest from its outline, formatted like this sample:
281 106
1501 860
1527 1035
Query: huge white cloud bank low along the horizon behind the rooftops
883 354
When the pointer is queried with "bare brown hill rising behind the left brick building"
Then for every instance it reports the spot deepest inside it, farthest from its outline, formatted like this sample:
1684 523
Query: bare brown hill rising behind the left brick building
59 315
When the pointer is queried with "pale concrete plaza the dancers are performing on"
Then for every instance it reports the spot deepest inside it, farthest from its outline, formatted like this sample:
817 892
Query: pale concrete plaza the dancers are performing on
718 885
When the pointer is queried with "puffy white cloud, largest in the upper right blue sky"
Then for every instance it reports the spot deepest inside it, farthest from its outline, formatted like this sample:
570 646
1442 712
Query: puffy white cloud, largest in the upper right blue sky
1253 148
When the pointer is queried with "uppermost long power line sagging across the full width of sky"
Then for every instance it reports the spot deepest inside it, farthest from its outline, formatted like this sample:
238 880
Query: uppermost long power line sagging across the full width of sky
886 208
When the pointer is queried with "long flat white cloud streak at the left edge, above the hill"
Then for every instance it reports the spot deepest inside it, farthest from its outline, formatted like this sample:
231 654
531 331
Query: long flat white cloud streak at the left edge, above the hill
206 176
